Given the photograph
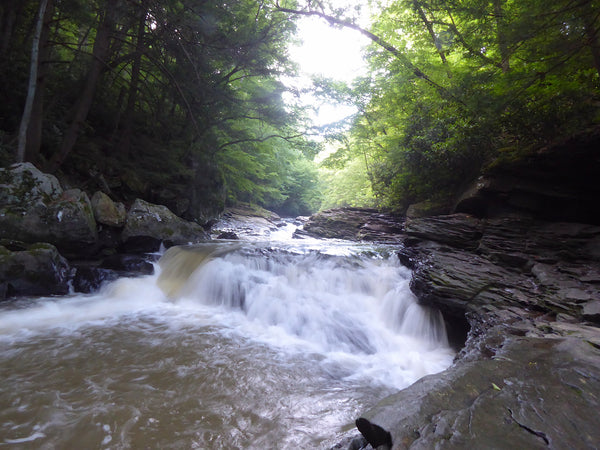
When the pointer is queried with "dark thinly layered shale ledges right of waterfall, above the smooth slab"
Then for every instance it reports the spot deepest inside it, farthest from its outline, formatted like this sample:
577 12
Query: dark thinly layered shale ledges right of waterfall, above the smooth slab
469 264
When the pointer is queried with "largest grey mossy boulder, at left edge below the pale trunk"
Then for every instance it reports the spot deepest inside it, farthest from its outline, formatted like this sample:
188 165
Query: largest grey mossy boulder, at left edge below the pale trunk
34 208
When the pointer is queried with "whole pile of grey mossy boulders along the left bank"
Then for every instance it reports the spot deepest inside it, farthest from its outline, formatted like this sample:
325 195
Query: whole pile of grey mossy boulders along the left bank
53 239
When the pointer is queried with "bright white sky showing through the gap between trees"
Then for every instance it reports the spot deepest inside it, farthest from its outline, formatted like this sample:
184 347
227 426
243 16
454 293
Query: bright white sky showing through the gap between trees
330 52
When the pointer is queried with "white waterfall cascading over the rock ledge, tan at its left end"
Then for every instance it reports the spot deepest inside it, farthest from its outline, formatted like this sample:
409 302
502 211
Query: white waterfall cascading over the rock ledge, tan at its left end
357 306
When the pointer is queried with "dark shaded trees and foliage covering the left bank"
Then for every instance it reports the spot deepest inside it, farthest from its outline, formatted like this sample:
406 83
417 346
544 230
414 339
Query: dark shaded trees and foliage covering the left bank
186 108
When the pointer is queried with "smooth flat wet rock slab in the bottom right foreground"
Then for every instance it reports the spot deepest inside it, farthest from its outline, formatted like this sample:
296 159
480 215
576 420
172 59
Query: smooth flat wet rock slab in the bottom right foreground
531 393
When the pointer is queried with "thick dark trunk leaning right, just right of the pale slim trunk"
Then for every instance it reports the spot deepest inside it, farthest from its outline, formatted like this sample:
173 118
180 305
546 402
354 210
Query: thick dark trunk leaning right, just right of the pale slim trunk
100 53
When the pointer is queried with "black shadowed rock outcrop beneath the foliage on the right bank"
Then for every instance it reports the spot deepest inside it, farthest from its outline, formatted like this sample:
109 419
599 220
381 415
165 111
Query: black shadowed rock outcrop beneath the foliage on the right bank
555 183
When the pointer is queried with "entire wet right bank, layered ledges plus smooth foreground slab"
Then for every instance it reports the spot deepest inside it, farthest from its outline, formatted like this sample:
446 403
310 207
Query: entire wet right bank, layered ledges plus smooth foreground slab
529 373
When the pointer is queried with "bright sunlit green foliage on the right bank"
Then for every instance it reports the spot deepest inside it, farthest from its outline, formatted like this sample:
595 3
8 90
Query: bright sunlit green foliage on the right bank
457 82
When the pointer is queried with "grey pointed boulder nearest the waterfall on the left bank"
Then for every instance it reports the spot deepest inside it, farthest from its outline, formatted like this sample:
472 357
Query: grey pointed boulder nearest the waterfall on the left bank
149 225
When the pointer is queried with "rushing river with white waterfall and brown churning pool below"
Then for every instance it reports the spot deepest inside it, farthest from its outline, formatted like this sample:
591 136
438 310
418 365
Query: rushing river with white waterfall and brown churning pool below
252 345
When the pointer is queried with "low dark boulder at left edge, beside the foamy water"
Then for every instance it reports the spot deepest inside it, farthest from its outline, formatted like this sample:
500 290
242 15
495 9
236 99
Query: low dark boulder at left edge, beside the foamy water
32 269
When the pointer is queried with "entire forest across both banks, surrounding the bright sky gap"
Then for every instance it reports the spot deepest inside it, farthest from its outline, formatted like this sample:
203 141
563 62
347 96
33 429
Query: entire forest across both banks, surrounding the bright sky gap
180 102
